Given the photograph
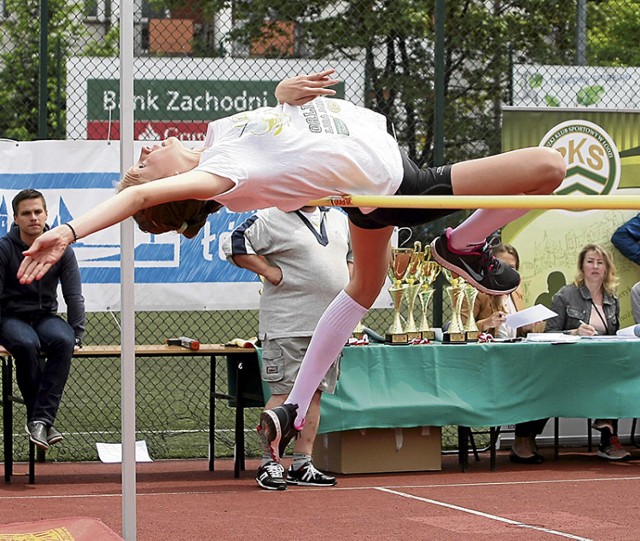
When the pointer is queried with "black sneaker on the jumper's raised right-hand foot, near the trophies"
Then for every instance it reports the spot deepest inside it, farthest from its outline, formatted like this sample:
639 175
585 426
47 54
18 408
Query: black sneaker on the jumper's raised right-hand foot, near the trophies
477 266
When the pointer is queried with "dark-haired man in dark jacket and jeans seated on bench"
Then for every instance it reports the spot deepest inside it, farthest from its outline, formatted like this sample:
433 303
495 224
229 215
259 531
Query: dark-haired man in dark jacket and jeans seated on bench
29 323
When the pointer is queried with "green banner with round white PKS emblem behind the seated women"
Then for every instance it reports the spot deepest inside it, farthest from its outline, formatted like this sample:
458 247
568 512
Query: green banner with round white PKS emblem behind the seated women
602 153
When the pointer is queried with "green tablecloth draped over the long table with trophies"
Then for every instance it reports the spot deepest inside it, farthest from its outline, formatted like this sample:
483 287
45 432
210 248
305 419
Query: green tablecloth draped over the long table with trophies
482 384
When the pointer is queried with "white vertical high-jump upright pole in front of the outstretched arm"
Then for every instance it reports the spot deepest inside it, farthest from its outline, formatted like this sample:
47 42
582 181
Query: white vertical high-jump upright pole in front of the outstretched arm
128 384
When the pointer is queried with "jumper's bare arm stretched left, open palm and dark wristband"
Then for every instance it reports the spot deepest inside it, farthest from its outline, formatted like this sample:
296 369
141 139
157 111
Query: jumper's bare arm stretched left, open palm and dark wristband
48 248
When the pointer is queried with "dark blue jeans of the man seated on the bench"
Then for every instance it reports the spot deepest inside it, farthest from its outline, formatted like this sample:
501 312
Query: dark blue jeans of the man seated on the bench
41 383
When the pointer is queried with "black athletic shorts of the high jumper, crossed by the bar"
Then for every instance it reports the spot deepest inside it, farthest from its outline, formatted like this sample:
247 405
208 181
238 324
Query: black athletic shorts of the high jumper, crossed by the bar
415 181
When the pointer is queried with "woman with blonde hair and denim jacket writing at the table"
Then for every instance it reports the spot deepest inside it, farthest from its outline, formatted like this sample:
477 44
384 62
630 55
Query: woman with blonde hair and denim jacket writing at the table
587 307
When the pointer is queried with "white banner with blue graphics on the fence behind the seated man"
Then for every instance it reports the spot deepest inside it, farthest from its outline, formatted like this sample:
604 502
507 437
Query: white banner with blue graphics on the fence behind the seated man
171 272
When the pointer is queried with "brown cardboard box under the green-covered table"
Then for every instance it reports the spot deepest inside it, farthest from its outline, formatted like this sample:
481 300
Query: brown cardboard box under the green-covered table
379 450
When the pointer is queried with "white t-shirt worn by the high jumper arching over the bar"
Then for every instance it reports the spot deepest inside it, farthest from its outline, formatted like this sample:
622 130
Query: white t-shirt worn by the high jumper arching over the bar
287 155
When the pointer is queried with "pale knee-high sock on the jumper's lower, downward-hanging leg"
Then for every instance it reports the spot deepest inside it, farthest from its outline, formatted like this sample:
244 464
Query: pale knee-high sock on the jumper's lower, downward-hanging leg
332 332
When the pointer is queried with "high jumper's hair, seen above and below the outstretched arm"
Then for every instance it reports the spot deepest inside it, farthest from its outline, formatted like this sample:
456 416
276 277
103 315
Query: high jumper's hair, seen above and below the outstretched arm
186 217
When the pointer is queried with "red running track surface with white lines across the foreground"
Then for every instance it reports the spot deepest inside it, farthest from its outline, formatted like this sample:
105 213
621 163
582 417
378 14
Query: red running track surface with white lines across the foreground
577 496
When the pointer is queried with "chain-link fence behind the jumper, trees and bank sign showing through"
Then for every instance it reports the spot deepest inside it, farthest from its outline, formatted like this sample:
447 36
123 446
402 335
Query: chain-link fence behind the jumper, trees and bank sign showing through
441 71
